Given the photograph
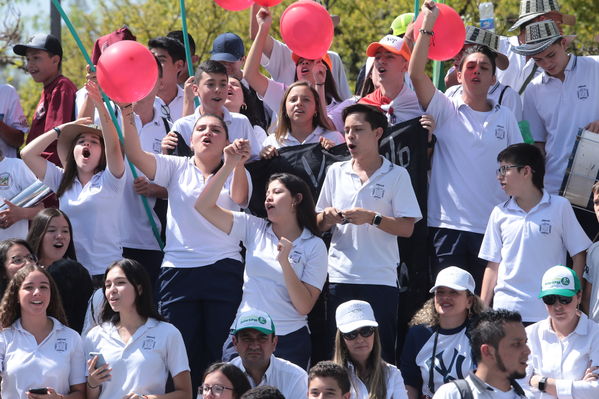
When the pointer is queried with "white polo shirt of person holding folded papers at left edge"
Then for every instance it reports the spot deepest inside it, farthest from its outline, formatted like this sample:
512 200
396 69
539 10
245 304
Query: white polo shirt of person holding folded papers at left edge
15 176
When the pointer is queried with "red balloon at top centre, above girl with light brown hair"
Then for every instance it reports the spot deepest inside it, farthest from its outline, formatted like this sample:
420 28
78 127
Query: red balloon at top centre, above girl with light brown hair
307 28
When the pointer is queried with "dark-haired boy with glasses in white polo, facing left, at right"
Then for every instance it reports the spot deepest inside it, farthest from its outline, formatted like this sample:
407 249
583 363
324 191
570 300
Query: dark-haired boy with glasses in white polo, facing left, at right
527 235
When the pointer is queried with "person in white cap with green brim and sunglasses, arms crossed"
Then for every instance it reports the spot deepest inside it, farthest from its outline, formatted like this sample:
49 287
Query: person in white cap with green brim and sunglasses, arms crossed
565 346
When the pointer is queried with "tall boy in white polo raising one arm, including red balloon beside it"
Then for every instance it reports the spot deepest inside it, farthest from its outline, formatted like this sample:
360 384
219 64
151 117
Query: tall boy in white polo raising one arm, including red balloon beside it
471 131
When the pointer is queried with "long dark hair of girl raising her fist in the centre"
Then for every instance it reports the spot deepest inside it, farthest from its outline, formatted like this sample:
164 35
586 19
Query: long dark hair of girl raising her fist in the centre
305 212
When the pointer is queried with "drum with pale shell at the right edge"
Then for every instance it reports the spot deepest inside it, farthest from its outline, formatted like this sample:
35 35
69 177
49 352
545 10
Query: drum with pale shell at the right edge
582 171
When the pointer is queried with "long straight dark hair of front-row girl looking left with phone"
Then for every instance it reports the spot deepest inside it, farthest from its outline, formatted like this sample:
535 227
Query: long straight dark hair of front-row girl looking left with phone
138 277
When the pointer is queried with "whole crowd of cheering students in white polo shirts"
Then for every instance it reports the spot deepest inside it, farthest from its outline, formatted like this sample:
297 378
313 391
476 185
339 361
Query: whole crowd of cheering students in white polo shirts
232 287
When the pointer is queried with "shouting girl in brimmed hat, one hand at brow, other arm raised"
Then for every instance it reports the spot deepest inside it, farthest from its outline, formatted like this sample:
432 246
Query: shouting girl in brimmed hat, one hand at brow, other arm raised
91 182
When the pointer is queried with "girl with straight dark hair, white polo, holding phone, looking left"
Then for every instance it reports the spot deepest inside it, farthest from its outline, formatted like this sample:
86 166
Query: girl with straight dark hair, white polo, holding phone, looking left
138 347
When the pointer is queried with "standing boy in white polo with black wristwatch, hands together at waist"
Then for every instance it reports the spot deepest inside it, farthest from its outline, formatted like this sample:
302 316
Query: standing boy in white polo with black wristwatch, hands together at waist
366 202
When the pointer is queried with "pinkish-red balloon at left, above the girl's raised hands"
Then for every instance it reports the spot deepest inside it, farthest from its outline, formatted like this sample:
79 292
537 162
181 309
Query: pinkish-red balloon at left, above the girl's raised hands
127 71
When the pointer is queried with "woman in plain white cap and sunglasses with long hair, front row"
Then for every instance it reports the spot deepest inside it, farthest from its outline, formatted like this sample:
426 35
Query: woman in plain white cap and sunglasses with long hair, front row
358 350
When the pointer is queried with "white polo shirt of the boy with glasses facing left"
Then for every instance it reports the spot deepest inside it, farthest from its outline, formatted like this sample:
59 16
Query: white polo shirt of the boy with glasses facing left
526 245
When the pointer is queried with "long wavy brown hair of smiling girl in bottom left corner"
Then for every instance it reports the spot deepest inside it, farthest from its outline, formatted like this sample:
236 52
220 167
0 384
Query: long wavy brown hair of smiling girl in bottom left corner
10 309
